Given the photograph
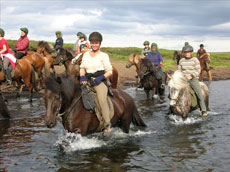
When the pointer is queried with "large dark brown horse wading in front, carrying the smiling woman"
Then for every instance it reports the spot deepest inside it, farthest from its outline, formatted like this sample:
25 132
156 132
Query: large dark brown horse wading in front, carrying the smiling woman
64 93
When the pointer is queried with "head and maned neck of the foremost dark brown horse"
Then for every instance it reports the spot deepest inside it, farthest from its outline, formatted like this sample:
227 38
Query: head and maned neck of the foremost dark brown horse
59 93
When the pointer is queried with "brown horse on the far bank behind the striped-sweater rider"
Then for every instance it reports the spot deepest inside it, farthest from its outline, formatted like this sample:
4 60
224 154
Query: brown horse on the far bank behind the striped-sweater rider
204 64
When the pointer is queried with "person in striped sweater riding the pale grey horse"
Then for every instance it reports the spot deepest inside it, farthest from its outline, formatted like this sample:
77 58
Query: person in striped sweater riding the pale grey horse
190 67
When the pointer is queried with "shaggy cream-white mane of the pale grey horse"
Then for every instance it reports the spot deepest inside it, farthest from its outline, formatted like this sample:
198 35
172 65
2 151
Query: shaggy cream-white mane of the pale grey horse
178 80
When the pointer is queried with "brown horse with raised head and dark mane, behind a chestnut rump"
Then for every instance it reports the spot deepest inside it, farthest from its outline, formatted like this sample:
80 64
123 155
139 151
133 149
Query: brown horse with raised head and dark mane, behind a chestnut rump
46 50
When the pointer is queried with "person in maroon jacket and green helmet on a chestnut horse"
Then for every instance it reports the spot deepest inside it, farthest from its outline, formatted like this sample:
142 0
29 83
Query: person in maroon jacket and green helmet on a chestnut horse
22 44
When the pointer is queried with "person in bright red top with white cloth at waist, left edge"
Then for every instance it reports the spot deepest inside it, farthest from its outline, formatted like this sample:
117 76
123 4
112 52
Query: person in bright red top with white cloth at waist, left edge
7 57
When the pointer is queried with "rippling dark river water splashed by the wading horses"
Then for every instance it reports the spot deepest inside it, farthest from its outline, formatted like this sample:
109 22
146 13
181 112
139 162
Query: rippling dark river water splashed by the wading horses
167 144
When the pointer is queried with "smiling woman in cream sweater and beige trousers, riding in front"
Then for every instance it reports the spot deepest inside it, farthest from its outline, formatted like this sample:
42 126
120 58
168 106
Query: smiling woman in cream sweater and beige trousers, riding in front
97 65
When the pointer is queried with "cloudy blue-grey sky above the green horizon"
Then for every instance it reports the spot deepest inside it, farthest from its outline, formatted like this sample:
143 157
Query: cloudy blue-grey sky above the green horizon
123 23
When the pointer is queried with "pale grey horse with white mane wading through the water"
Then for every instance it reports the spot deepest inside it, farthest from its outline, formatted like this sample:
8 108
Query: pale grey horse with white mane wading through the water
180 95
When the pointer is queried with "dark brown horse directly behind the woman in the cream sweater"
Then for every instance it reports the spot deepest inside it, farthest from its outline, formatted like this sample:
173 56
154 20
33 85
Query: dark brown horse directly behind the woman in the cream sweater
65 56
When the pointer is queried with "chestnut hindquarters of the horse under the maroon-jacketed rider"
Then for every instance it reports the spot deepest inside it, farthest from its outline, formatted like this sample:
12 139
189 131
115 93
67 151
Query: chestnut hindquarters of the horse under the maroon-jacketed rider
38 63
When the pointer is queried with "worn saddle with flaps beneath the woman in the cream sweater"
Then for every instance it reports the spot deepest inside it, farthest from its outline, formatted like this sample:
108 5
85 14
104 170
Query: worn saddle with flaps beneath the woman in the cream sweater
91 104
